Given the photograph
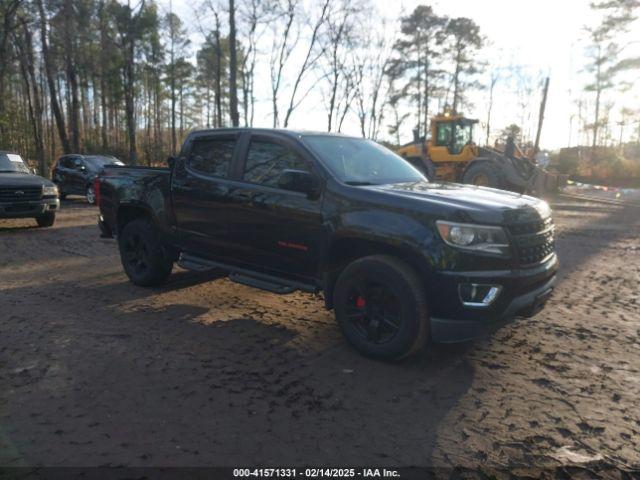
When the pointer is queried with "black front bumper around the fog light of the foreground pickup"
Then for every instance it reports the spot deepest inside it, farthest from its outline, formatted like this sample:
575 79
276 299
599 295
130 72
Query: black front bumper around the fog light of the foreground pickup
524 293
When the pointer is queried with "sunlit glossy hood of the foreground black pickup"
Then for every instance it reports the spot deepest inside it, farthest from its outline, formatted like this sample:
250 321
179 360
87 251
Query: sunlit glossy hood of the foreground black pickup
468 203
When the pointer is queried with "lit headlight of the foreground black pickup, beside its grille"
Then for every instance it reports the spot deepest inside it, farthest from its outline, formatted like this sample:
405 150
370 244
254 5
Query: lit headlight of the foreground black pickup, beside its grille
476 238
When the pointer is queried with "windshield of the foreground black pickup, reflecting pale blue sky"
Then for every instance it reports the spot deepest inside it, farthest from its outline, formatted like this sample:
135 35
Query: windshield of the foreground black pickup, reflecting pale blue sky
357 161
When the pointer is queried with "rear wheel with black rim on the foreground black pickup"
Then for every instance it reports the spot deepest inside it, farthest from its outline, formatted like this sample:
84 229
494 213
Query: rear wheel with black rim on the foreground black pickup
144 259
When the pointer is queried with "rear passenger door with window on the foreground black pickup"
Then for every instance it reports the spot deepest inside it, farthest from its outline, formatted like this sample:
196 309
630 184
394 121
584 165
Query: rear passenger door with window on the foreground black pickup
200 189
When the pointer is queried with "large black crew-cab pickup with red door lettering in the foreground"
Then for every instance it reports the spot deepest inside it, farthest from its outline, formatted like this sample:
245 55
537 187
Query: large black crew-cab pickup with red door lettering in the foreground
399 259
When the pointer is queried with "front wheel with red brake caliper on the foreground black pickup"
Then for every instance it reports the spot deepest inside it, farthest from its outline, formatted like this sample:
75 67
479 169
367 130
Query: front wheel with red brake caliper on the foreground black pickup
380 305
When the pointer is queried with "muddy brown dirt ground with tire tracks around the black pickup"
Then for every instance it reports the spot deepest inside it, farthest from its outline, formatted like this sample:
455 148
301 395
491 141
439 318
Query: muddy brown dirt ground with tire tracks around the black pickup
96 371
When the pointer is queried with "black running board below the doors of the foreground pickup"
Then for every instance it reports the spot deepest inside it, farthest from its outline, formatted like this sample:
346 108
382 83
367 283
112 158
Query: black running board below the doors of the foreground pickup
245 276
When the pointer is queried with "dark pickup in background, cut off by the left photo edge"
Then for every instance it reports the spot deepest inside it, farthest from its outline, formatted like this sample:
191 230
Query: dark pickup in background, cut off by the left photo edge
24 194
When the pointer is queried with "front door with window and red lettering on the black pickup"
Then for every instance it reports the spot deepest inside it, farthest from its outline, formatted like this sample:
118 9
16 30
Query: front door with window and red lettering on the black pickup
273 229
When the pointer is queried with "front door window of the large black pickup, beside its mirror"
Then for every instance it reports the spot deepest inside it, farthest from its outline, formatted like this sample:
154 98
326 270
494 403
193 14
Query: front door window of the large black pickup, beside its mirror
266 161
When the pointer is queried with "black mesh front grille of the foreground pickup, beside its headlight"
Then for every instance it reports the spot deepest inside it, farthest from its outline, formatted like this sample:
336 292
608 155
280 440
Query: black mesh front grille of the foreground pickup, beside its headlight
534 241
